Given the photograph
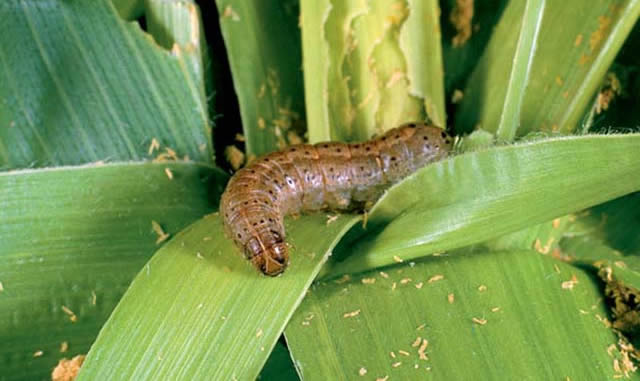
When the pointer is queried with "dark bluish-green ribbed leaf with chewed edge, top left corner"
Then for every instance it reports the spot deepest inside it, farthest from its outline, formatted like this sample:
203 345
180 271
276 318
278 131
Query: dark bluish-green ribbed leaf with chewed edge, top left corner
78 84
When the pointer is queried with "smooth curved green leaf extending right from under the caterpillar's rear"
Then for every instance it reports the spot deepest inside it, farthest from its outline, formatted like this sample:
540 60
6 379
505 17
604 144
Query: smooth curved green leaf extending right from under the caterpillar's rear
507 188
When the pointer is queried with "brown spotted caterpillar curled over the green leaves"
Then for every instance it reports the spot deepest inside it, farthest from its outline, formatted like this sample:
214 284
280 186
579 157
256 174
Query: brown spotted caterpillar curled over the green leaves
307 177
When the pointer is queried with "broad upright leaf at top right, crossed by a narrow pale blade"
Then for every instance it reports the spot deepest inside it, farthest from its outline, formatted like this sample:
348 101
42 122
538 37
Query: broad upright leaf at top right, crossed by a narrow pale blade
576 46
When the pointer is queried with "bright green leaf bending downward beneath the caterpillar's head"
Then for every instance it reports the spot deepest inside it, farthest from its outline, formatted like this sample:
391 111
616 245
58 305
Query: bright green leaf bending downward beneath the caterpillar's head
198 310
